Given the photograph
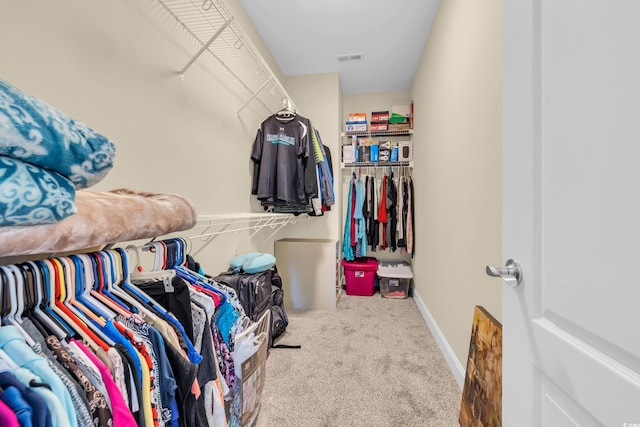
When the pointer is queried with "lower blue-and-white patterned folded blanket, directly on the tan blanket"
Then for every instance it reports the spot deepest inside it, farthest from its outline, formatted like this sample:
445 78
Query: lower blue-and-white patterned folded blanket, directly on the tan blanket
30 195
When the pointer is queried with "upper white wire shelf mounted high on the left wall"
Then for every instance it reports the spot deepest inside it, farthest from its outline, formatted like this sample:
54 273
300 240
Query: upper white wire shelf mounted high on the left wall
211 24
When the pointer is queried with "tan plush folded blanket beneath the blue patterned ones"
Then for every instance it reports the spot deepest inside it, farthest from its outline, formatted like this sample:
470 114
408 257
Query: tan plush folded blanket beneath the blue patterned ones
102 218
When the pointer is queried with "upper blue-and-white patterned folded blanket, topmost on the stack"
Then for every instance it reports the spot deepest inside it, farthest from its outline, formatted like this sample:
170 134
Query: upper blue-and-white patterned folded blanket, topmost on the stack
33 131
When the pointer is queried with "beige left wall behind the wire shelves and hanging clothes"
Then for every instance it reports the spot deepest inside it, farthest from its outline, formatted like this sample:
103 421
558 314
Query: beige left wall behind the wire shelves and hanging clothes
114 66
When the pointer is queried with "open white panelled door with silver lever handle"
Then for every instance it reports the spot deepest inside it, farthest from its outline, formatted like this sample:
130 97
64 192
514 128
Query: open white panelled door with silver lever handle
571 135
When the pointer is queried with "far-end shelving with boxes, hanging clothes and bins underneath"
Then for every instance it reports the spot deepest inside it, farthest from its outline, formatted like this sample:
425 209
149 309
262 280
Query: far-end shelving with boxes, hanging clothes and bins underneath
379 195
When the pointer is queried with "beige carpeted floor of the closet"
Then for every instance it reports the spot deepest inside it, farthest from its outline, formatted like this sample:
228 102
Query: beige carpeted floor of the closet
372 362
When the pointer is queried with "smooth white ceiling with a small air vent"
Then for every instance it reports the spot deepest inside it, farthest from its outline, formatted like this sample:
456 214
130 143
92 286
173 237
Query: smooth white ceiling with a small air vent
305 37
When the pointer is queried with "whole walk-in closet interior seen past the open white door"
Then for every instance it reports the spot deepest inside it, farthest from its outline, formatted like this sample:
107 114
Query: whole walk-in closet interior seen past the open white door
149 149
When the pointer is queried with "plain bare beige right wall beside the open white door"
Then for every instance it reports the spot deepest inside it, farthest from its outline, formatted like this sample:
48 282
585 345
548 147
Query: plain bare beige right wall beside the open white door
458 162
